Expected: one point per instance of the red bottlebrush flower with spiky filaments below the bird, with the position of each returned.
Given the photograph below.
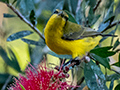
(41, 79)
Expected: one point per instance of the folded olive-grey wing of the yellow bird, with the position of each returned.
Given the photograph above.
(74, 31)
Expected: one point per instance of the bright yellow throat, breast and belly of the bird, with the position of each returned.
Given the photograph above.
(53, 33)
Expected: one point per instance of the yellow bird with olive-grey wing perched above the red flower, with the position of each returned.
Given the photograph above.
(65, 37)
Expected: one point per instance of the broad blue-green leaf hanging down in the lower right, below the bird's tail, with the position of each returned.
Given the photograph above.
(94, 78)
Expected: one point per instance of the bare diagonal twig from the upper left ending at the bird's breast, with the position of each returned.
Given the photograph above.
(25, 20)
